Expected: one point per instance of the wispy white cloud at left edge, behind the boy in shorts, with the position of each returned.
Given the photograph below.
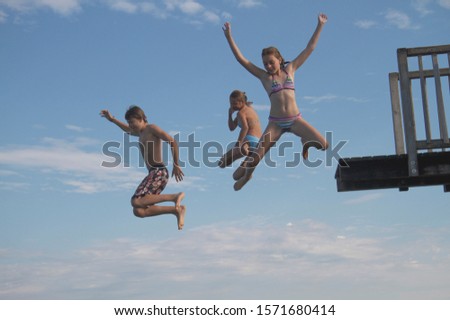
(70, 162)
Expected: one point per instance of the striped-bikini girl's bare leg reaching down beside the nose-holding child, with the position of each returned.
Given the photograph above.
(244, 173)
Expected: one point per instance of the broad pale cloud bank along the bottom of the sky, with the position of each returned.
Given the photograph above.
(302, 259)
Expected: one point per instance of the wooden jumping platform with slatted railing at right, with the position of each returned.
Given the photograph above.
(417, 162)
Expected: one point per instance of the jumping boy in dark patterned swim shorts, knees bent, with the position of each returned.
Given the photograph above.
(148, 193)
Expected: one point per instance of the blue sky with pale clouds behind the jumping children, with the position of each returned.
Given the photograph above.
(67, 228)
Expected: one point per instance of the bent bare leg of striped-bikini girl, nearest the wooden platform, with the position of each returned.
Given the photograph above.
(310, 136)
